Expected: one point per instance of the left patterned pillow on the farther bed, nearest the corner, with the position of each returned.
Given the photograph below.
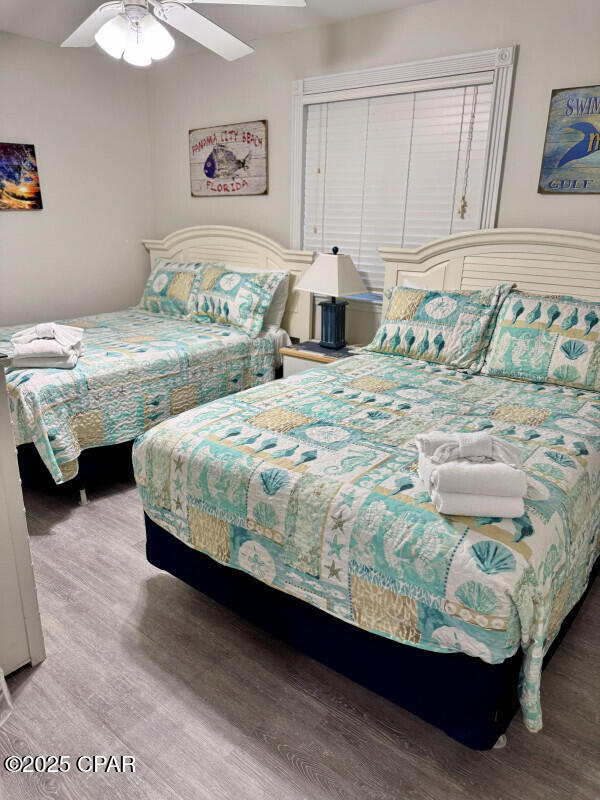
(169, 289)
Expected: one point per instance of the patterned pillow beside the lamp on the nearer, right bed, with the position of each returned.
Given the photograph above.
(452, 328)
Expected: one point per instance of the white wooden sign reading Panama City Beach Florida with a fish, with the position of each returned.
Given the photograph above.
(229, 160)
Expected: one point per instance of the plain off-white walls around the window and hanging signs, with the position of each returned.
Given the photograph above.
(113, 157)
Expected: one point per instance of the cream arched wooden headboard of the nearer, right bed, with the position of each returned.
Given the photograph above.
(536, 259)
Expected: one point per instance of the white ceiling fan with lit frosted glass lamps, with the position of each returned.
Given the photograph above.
(131, 29)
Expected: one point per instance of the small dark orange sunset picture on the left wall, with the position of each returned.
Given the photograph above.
(19, 180)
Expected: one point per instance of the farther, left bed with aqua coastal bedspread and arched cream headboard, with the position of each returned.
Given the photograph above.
(139, 367)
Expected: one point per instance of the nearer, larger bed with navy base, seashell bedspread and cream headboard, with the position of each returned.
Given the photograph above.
(308, 489)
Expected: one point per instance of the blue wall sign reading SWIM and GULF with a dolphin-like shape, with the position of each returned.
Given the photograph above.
(571, 162)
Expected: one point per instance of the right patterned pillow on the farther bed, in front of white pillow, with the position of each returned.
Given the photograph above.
(237, 298)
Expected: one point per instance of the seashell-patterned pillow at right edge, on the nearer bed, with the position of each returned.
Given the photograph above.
(547, 339)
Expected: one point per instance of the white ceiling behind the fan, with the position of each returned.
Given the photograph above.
(54, 20)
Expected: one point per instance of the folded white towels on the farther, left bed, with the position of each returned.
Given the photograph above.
(47, 345)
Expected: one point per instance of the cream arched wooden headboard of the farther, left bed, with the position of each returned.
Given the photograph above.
(222, 244)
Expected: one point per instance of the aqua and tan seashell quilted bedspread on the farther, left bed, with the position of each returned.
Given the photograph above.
(137, 369)
